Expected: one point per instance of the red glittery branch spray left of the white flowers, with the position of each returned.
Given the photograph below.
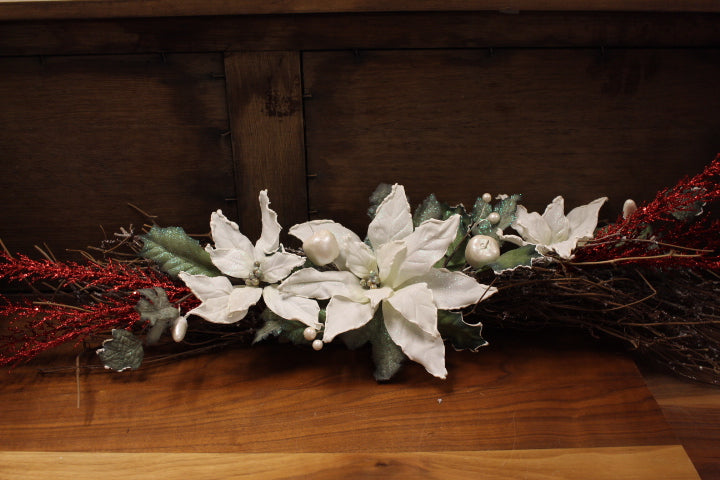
(39, 326)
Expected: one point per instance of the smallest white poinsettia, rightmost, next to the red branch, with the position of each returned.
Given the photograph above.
(553, 231)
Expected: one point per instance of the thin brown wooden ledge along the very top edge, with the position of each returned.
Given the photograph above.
(32, 9)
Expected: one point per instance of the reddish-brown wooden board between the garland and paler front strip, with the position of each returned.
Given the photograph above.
(515, 394)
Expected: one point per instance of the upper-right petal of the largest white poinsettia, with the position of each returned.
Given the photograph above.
(425, 246)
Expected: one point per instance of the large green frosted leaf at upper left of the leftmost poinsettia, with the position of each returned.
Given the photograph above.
(174, 252)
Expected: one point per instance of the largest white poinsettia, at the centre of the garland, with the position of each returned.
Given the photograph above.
(396, 273)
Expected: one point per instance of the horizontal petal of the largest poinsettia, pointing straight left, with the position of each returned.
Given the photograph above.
(311, 283)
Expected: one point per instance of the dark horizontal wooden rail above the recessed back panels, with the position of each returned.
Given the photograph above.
(361, 31)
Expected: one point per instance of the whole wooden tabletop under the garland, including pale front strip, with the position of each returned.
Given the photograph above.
(517, 409)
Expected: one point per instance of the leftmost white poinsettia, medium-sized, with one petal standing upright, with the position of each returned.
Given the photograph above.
(266, 262)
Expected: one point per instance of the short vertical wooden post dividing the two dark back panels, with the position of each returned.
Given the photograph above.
(265, 104)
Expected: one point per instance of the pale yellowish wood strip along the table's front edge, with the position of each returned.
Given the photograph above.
(628, 463)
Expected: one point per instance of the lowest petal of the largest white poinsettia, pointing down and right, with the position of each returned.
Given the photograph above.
(418, 345)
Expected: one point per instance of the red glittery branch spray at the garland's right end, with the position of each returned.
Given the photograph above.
(674, 230)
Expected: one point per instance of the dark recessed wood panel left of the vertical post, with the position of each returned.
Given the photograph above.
(82, 136)
